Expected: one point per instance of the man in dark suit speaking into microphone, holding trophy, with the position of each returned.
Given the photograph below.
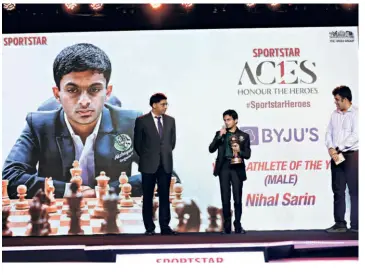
(231, 174)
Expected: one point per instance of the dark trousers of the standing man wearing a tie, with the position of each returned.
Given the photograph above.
(163, 186)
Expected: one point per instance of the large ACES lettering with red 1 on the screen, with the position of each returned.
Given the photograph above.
(270, 72)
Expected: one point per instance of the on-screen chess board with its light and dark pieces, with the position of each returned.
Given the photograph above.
(108, 213)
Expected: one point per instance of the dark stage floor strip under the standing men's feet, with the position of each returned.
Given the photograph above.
(312, 238)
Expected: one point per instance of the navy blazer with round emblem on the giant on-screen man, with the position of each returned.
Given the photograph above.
(46, 142)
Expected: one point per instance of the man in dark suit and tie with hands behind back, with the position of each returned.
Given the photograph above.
(154, 141)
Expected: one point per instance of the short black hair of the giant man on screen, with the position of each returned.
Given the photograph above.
(79, 58)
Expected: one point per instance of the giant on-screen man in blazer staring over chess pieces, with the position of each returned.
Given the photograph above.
(81, 128)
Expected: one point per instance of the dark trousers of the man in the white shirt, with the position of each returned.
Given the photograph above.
(346, 173)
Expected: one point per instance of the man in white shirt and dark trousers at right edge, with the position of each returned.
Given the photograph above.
(342, 138)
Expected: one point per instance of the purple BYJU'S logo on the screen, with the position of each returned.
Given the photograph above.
(282, 135)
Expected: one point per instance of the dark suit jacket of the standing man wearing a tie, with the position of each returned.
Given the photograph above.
(150, 147)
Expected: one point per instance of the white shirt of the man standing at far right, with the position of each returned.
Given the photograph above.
(343, 130)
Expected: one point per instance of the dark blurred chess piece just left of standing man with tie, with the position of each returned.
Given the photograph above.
(110, 202)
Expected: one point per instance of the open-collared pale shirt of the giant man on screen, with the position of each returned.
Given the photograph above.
(84, 153)
